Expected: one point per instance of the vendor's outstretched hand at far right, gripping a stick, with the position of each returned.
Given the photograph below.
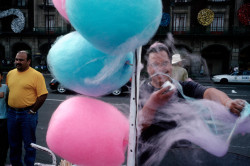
(235, 106)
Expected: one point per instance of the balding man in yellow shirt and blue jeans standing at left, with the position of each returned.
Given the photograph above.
(27, 93)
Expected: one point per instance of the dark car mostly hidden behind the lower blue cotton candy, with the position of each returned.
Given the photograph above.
(55, 85)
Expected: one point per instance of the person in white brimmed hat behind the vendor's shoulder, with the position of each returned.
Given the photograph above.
(178, 72)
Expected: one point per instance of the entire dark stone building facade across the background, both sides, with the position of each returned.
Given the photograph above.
(211, 49)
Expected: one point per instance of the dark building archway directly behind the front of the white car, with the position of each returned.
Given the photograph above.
(217, 58)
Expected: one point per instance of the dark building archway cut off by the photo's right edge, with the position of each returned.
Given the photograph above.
(244, 58)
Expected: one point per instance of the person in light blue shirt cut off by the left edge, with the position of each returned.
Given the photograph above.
(4, 145)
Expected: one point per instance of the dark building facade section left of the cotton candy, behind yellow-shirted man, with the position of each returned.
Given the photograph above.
(39, 25)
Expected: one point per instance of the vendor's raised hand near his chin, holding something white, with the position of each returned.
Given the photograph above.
(159, 98)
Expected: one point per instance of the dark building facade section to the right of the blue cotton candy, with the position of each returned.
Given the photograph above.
(217, 47)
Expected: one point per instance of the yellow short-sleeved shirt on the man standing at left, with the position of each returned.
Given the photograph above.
(25, 87)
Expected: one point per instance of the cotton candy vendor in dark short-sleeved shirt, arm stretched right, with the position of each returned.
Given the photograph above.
(159, 68)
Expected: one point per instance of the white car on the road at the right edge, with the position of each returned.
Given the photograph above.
(235, 77)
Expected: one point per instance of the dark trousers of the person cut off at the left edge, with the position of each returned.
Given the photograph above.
(4, 145)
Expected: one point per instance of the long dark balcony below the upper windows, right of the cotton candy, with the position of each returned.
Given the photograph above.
(205, 31)
